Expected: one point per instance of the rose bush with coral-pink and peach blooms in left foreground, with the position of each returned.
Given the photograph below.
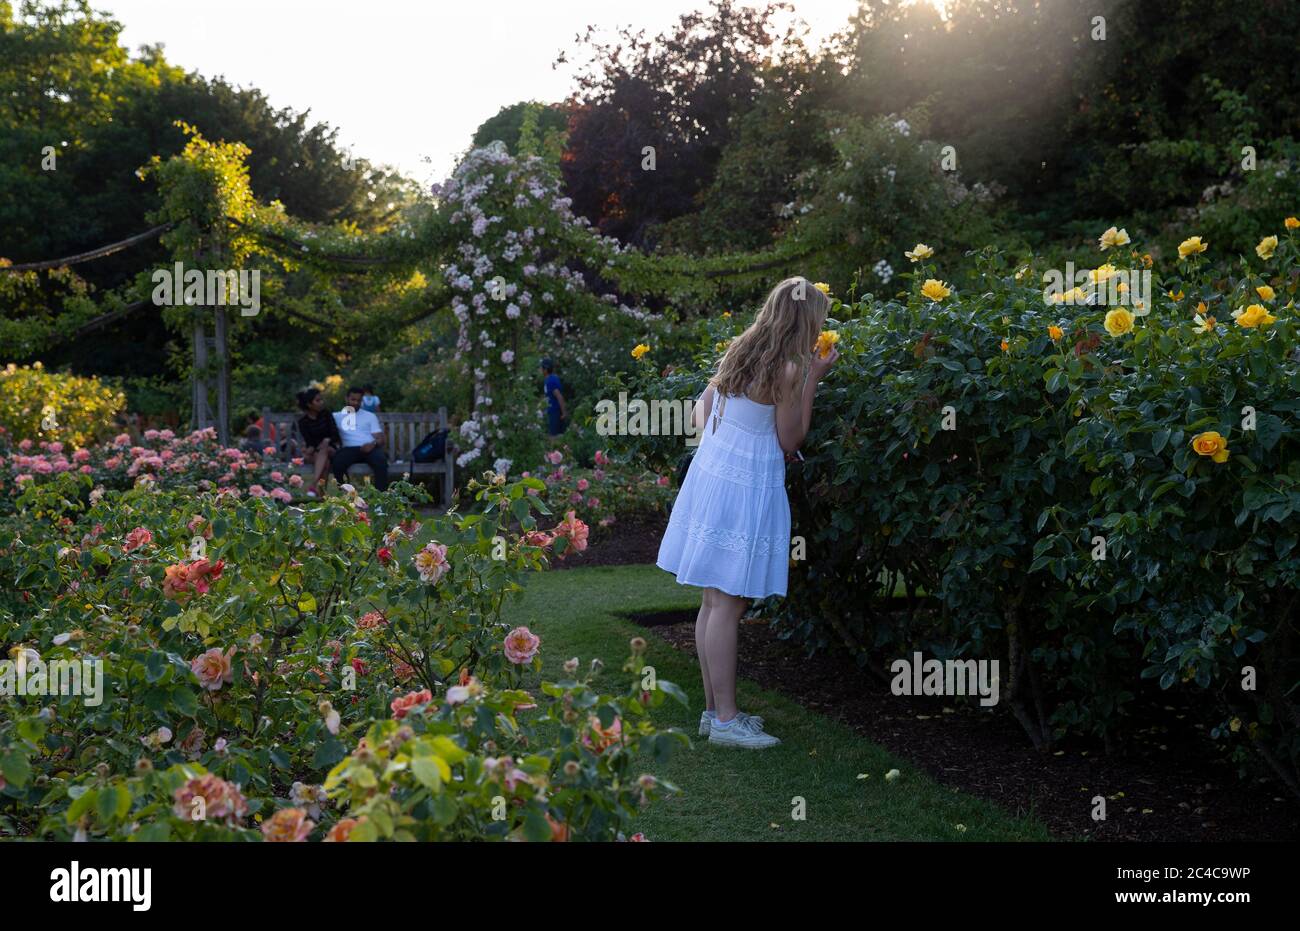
(252, 648)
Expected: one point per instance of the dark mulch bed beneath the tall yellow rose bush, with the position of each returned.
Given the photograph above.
(1167, 770)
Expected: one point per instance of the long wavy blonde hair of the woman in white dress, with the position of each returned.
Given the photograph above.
(785, 331)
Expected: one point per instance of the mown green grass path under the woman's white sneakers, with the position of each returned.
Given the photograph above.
(746, 795)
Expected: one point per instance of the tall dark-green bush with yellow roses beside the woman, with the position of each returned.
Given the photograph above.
(1061, 438)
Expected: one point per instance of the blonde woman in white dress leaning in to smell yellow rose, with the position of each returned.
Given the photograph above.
(730, 530)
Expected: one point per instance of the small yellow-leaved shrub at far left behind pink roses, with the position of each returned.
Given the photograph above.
(40, 405)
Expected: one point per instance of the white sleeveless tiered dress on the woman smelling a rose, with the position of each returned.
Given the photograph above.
(730, 529)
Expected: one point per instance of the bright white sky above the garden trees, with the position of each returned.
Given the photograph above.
(402, 80)
